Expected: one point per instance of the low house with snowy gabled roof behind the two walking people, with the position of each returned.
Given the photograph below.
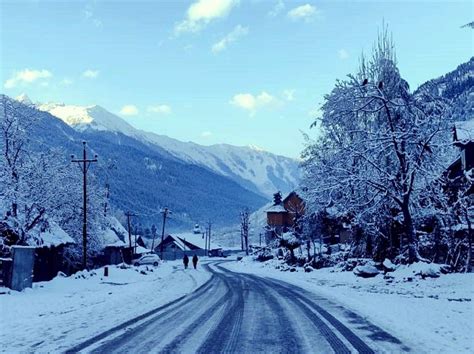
(177, 245)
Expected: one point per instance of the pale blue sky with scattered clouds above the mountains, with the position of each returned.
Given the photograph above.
(248, 72)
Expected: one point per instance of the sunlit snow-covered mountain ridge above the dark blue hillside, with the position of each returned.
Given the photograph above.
(256, 170)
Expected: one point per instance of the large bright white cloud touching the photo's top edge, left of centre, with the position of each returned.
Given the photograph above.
(201, 12)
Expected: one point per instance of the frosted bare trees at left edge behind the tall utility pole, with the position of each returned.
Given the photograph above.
(40, 185)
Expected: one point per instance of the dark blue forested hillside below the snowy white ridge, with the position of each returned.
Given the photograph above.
(144, 177)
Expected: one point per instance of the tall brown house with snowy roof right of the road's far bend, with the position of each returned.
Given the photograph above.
(283, 214)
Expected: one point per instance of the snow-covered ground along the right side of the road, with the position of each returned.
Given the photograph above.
(431, 315)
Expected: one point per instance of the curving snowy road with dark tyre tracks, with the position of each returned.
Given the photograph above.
(236, 312)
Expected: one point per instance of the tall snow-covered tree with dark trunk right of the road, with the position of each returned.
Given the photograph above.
(378, 147)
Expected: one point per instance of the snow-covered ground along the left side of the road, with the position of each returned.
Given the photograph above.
(53, 316)
